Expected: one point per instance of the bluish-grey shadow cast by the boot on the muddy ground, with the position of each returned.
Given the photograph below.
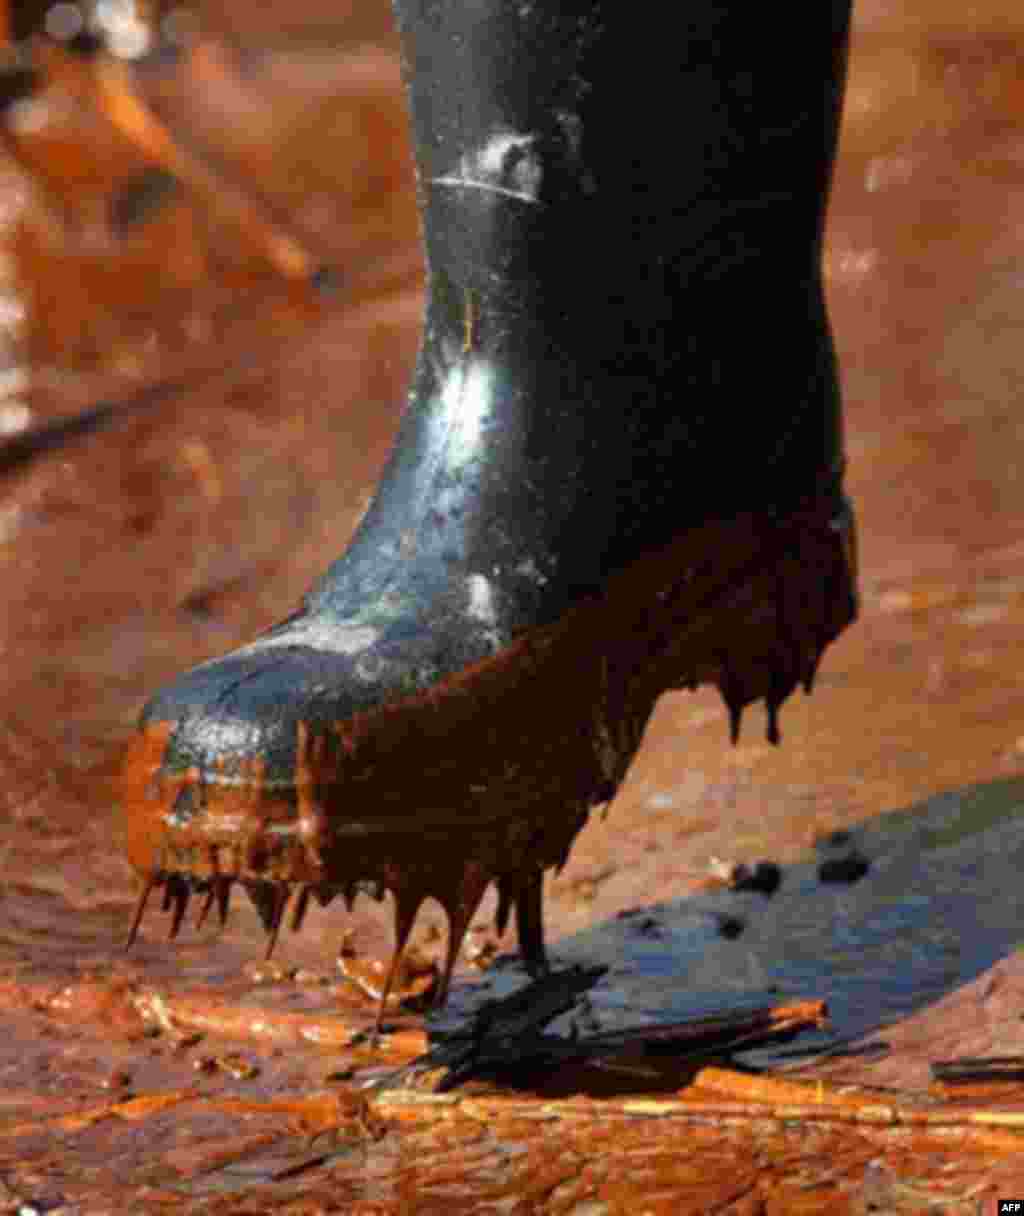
(939, 902)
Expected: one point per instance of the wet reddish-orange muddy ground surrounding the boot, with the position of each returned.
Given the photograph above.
(179, 525)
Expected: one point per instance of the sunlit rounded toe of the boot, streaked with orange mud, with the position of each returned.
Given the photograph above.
(232, 767)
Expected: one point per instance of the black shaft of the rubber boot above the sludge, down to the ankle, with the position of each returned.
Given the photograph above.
(626, 330)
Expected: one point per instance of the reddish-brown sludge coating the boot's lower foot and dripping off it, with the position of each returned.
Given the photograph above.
(503, 762)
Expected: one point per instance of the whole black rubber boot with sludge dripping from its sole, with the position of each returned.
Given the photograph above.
(618, 474)
